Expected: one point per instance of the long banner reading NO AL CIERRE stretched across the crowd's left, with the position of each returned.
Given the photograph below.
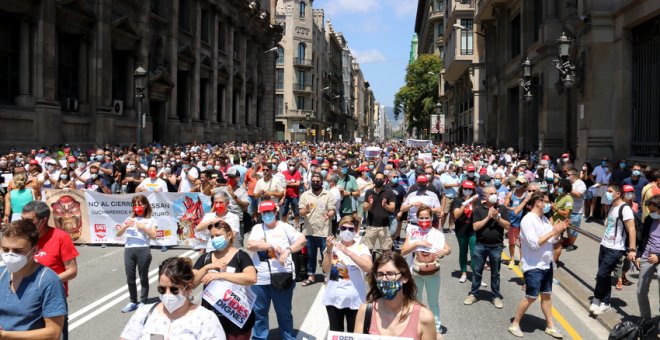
(92, 217)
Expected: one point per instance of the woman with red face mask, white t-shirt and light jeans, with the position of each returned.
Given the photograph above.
(423, 248)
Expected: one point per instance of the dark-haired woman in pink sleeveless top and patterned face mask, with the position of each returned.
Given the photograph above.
(394, 309)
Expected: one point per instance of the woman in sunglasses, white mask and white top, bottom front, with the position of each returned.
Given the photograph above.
(175, 316)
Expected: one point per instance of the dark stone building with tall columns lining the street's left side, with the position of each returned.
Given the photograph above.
(66, 71)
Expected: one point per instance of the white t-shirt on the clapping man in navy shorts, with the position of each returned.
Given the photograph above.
(532, 227)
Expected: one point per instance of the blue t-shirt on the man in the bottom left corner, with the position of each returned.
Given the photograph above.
(40, 295)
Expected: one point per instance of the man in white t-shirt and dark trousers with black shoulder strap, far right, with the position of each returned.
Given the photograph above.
(613, 247)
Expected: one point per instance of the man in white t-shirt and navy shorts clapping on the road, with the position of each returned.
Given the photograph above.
(537, 237)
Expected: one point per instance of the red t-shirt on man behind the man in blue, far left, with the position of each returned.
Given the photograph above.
(55, 248)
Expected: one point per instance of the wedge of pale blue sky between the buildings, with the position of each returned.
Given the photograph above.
(379, 34)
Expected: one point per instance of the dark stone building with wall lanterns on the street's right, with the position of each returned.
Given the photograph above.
(609, 107)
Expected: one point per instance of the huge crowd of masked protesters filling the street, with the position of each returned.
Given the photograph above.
(376, 222)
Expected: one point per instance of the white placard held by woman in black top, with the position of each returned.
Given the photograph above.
(233, 301)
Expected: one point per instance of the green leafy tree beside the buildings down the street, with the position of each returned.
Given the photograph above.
(417, 98)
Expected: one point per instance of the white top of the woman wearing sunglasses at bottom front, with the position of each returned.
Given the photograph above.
(199, 323)
